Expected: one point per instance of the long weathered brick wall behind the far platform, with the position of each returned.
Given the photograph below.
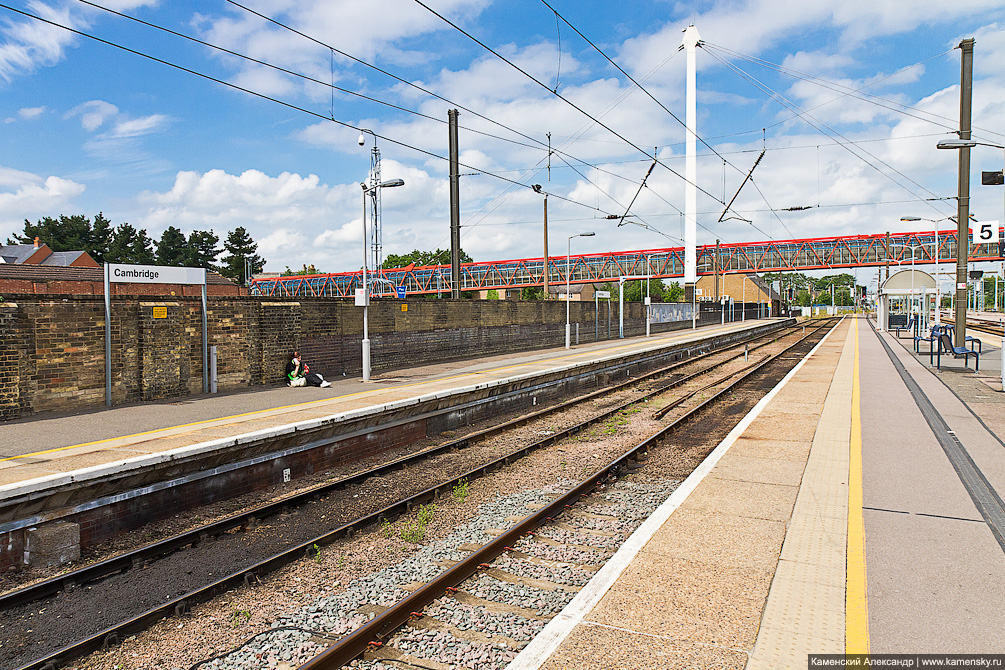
(53, 348)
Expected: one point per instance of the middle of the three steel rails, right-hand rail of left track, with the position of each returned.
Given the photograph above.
(253, 574)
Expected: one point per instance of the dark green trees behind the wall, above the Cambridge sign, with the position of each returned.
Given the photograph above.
(124, 244)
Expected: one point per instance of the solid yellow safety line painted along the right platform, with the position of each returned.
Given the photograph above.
(857, 621)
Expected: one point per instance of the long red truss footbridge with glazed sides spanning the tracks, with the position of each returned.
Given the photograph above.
(821, 254)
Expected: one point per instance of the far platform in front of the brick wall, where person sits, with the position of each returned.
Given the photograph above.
(40, 452)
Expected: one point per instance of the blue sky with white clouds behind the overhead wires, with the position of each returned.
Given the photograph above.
(88, 128)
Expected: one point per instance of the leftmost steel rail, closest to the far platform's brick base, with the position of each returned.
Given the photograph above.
(142, 556)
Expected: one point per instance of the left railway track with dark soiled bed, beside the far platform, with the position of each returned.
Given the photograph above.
(689, 377)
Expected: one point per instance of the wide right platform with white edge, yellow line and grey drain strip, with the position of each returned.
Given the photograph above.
(857, 510)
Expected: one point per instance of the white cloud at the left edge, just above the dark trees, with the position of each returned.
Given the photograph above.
(26, 195)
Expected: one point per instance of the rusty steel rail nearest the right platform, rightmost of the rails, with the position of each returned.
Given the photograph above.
(383, 625)
